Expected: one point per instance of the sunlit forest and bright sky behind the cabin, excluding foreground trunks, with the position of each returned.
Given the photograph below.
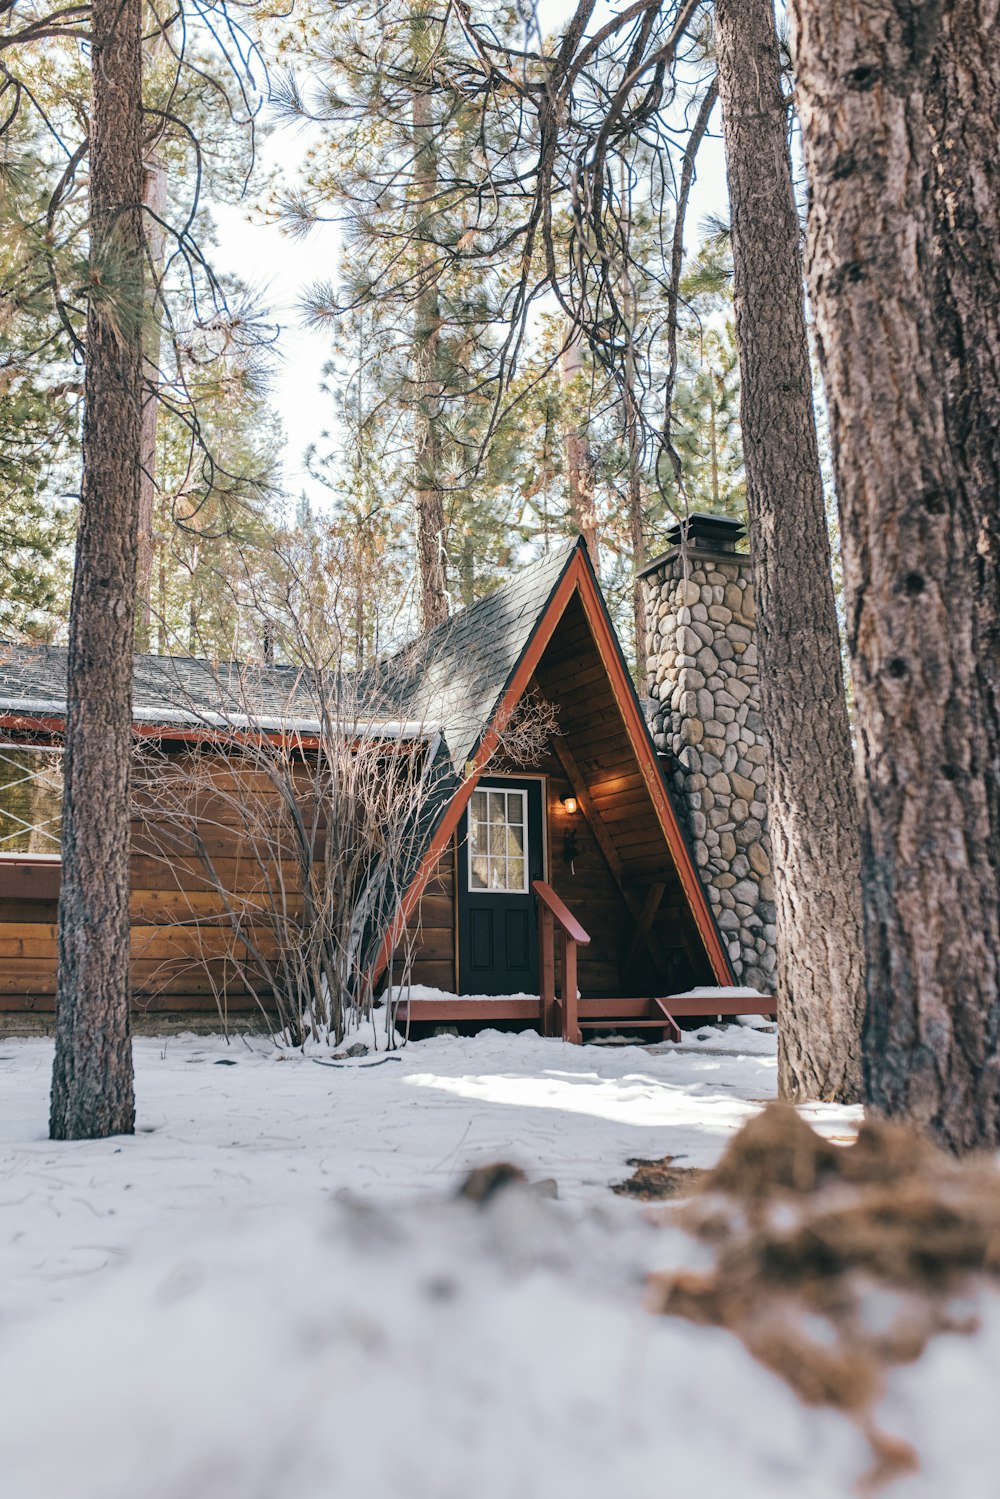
(299, 428)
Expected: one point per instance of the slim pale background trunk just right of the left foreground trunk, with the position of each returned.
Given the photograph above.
(155, 203)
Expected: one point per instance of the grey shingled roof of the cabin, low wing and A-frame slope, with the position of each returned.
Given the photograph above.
(449, 681)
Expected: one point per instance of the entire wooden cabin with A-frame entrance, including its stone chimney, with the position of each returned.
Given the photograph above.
(600, 887)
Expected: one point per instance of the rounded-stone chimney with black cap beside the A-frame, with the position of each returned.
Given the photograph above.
(702, 677)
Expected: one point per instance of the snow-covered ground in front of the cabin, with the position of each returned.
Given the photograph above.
(272, 1293)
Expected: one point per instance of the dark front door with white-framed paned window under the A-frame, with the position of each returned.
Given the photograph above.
(501, 852)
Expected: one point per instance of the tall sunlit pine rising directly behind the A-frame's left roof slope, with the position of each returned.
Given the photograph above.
(403, 160)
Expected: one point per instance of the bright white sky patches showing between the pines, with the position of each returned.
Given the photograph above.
(280, 269)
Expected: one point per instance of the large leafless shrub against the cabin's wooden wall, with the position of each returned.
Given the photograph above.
(304, 812)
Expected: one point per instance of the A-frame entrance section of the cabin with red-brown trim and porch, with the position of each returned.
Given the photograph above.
(606, 878)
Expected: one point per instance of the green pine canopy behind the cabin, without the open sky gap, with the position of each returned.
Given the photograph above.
(506, 446)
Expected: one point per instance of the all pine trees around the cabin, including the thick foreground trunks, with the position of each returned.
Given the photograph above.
(530, 338)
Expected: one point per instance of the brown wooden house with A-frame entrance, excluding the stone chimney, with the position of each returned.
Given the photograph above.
(569, 873)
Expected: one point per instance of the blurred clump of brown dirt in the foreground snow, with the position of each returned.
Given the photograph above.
(834, 1263)
